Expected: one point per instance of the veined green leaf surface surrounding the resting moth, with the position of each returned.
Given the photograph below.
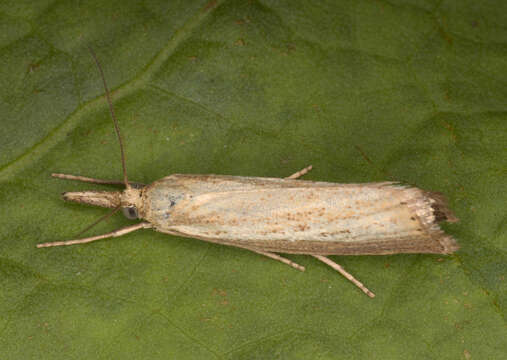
(411, 91)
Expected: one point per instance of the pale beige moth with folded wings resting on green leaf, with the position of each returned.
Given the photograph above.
(277, 215)
